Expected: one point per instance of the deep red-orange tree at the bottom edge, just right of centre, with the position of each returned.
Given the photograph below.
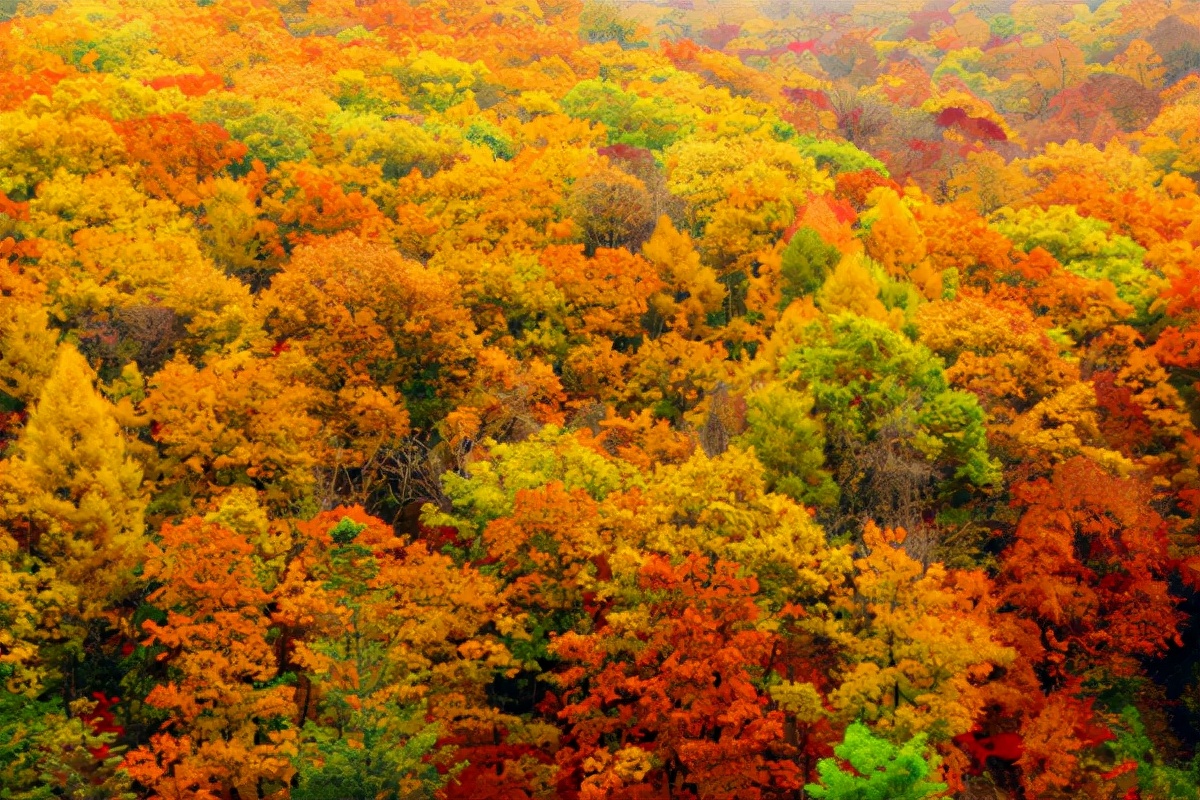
(685, 696)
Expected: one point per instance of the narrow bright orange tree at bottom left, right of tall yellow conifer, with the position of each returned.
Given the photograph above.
(230, 714)
